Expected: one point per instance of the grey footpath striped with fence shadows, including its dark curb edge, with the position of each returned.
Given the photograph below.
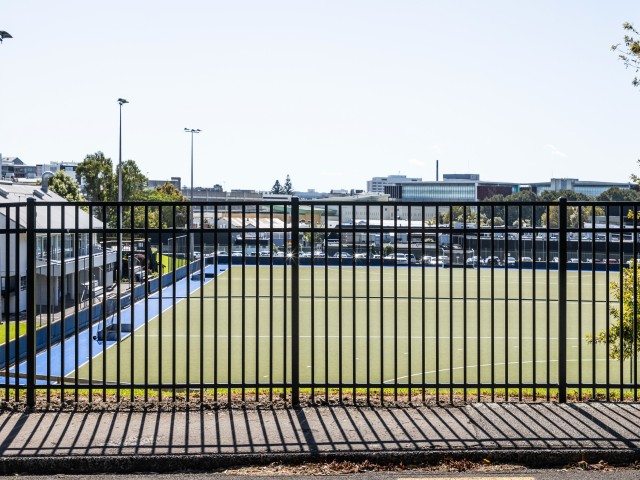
(531, 434)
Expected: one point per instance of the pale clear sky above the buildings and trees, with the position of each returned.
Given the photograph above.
(331, 92)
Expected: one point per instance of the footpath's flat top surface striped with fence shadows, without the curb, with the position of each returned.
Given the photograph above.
(317, 431)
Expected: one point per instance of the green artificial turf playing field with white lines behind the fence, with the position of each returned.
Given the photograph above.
(371, 326)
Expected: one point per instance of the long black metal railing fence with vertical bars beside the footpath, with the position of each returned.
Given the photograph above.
(315, 301)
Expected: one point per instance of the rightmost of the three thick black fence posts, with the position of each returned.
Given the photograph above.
(562, 300)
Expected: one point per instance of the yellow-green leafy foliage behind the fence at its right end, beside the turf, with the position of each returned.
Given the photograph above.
(623, 334)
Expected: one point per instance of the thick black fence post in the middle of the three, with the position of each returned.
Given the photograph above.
(295, 301)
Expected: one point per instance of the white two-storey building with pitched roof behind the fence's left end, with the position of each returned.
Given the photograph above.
(56, 253)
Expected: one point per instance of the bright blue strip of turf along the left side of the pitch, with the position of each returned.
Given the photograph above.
(60, 359)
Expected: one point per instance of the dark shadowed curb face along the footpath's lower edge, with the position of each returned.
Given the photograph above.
(128, 464)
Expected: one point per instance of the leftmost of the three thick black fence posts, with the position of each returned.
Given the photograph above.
(31, 302)
